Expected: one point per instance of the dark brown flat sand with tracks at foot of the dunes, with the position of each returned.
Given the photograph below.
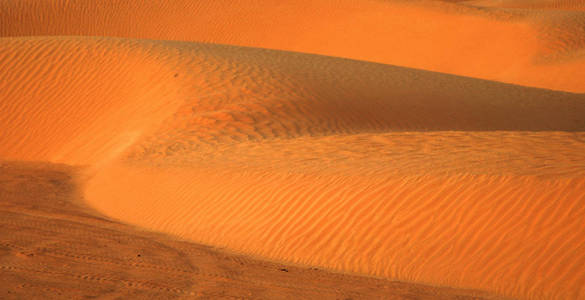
(52, 247)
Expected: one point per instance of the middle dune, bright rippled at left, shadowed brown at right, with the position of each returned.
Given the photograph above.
(113, 91)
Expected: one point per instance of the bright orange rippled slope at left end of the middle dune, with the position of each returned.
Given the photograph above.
(79, 101)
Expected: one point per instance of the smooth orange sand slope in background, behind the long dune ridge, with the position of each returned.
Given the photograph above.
(531, 48)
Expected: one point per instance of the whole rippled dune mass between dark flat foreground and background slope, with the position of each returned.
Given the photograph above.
(354, 166)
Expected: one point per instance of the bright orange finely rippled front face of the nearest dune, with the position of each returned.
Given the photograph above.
(517, 236)
